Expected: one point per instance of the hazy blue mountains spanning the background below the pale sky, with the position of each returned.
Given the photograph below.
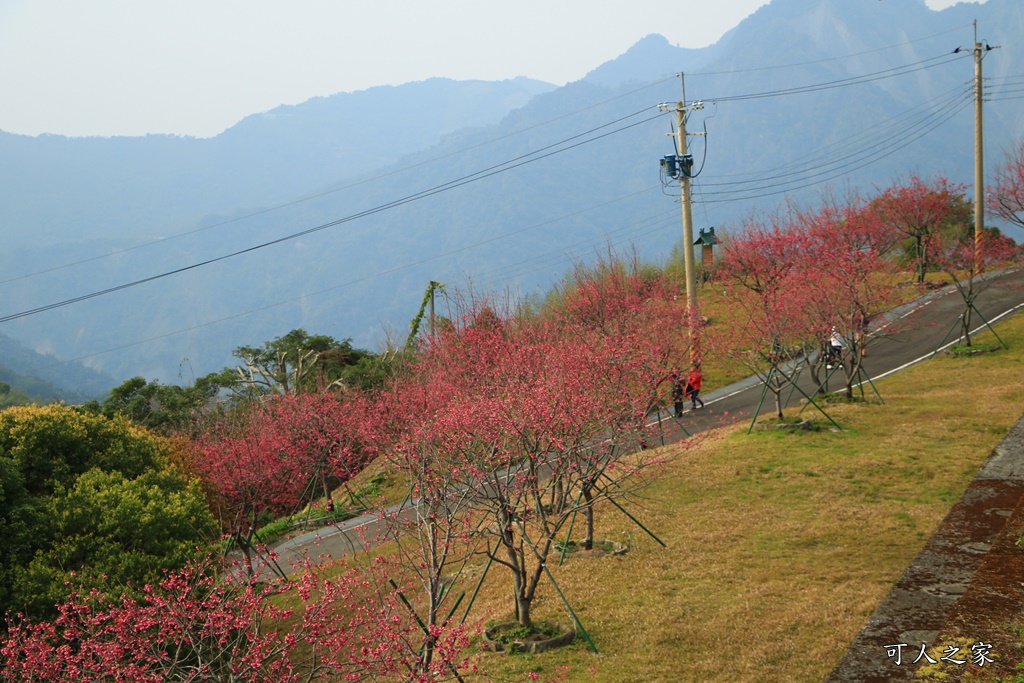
(353, 160)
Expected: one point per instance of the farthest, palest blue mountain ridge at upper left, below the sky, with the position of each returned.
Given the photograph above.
(141, 188)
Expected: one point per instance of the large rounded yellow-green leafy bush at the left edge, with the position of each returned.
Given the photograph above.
(86, 496)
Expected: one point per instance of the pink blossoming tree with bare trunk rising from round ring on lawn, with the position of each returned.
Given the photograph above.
(528, 415)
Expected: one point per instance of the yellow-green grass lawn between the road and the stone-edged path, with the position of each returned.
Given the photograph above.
(780, 546)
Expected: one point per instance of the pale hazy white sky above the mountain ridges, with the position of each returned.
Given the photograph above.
(197, 67)
